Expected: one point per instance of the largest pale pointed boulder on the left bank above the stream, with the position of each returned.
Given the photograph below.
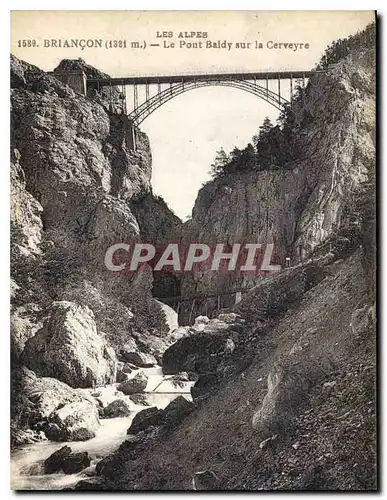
(69, 348)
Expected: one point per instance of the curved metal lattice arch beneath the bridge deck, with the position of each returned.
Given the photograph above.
(153, 103)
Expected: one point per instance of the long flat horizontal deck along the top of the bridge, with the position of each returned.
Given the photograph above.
(148, 80)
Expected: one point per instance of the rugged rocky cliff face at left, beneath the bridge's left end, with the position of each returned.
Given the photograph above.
(74, 174)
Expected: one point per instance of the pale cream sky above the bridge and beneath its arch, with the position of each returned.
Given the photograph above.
(186, 132)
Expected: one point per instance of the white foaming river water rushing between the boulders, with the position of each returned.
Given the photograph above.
(27, 462)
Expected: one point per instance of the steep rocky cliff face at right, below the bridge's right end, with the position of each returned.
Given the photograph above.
(300, 206)
